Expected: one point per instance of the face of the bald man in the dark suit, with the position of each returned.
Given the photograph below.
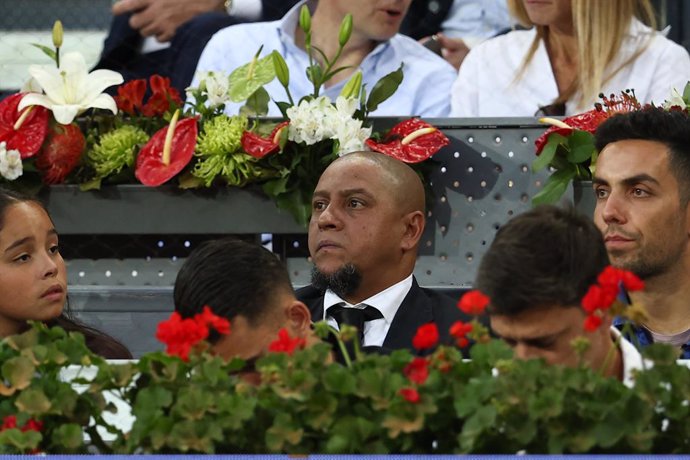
(356, 220)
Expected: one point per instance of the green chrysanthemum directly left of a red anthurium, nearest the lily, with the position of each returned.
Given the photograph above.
(116, 150)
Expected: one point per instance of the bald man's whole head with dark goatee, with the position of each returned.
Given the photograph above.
(367, 219)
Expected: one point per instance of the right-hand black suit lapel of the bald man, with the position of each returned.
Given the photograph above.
(414, 311)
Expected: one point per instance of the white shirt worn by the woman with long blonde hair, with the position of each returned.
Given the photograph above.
(485, 86)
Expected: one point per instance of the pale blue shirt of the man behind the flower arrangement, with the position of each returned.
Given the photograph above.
(423, 91)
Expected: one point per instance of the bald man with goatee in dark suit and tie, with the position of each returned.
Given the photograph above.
(367, 220)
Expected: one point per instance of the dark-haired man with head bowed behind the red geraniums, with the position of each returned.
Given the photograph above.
(536, 272)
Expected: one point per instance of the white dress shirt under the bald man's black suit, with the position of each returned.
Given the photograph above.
(387, 302)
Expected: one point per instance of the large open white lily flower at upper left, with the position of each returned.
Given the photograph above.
(71, 89)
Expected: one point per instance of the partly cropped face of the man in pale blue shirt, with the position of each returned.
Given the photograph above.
(372, 19)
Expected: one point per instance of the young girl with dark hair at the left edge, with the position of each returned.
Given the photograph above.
(33, 279)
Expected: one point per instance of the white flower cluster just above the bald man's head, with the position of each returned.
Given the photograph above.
(318, 119)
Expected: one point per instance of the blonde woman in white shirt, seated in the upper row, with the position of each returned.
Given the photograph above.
(573, 51)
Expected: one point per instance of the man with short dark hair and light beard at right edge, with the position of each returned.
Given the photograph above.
(642, 184)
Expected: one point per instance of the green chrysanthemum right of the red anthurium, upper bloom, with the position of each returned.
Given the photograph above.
(221, 135)
